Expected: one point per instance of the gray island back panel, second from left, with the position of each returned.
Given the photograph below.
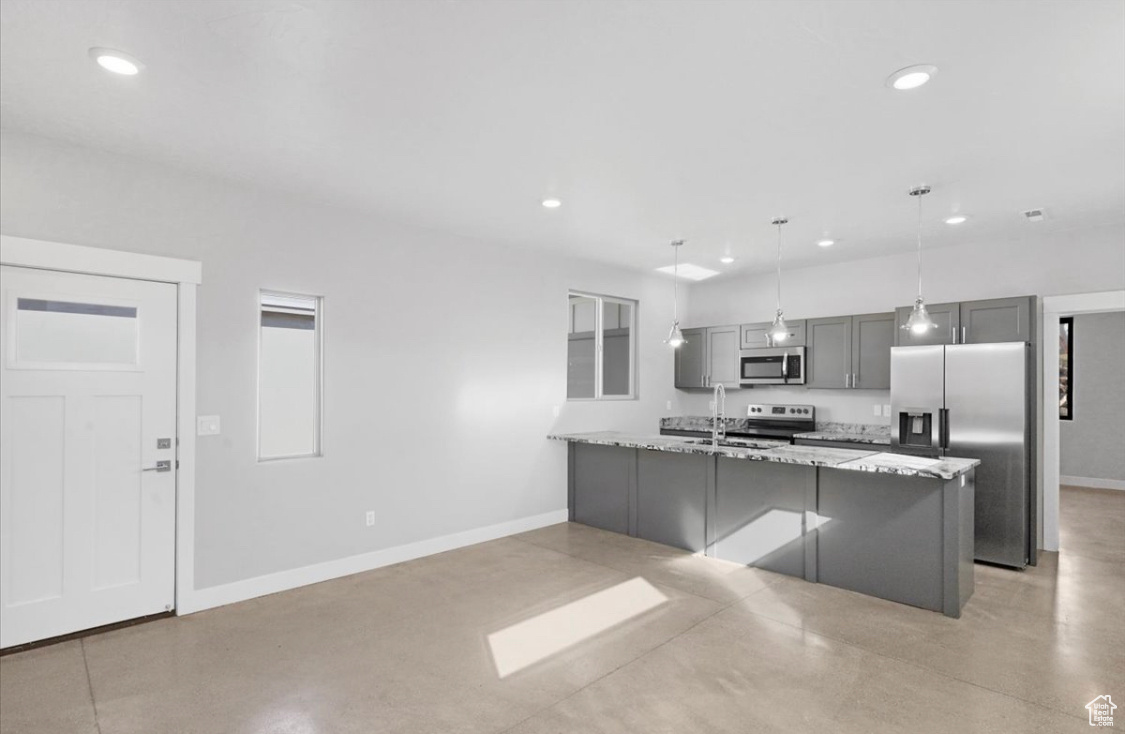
(672, 499)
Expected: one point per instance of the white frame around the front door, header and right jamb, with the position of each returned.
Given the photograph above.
(187, 276)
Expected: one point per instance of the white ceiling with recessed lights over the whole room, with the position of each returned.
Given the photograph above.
(651, 121)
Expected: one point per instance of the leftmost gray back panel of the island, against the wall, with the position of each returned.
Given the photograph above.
(601, 478)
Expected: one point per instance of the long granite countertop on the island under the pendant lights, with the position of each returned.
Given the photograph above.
(763, 451)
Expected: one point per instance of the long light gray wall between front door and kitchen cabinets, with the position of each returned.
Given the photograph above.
(445, 357)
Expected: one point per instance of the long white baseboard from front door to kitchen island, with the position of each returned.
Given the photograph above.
(284, 580)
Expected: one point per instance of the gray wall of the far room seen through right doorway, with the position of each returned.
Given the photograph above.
(1092, 444)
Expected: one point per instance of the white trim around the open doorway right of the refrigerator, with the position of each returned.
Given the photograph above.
(1054, 308)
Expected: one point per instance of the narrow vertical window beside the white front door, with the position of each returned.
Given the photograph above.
(289, 377)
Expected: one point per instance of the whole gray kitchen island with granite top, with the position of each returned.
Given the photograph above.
(892, 526)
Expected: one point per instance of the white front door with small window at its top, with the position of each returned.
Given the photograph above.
(88, 390)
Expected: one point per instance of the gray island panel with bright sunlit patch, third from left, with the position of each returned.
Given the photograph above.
(760, 514)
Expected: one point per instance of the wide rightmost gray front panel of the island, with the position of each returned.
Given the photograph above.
(883, 535)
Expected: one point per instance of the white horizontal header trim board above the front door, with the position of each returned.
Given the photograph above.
(76, 258)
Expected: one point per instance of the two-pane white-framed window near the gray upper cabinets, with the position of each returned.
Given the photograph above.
(601, 348)
